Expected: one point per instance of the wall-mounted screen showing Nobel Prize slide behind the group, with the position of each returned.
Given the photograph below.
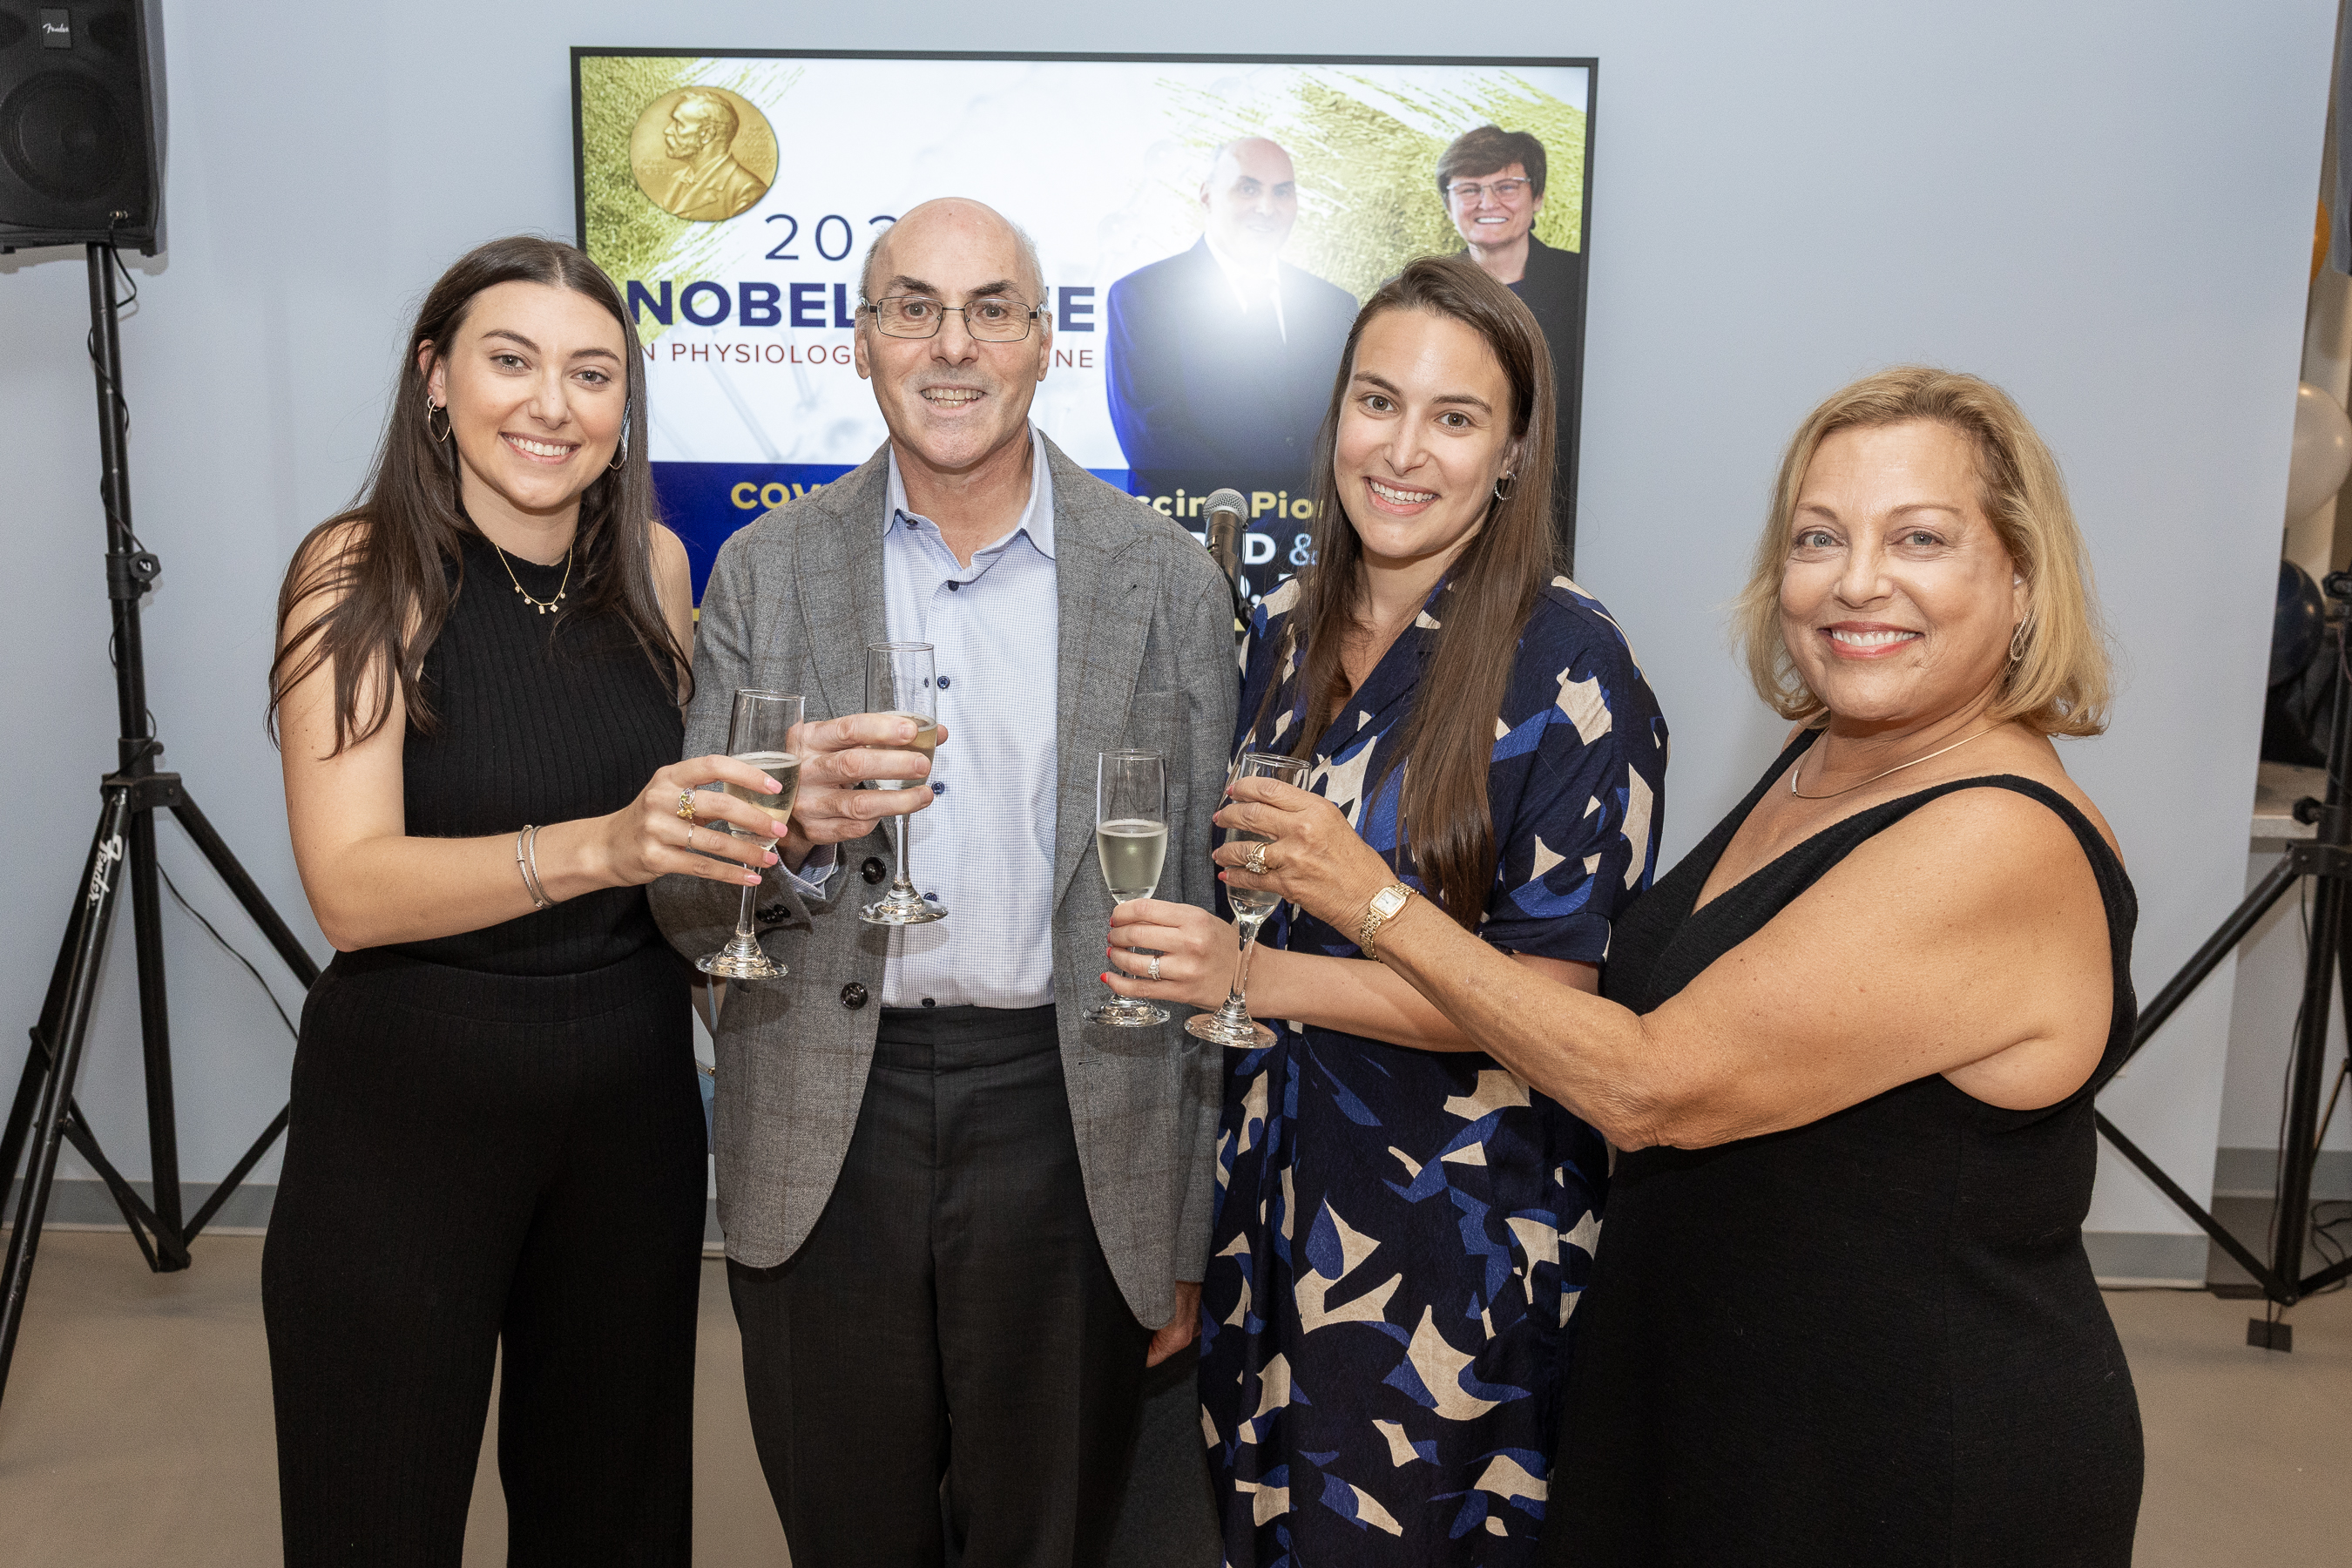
(1208, 232)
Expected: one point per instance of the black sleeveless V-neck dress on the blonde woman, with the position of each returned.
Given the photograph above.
(1873, 1339)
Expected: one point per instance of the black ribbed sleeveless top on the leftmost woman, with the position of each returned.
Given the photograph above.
(537, 721)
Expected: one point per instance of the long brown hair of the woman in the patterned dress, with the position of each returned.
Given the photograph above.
(1445, 822)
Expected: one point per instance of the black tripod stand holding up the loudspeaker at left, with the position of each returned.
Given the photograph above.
(123, 852)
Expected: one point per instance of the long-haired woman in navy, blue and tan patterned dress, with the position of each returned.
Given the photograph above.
(1405, 1226)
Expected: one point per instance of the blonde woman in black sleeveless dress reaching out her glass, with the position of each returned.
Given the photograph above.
(1840, 1308)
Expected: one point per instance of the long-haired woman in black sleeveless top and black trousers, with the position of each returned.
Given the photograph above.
(497, 1137)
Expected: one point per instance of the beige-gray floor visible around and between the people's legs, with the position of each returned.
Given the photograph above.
(138, 1428)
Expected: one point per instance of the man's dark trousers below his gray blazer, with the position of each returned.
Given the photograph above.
(951, 1318)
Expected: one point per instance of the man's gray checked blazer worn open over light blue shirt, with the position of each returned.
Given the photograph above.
(1144, 659)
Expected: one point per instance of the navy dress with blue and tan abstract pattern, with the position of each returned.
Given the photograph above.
(1401, 1235)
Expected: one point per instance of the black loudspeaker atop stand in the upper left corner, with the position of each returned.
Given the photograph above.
(81, 123)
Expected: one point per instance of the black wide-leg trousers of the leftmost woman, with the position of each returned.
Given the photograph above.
(479, 1160)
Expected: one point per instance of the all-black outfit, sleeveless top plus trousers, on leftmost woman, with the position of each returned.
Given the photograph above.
(497, 1141)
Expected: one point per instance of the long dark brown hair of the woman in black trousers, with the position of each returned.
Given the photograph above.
(382, 561)
